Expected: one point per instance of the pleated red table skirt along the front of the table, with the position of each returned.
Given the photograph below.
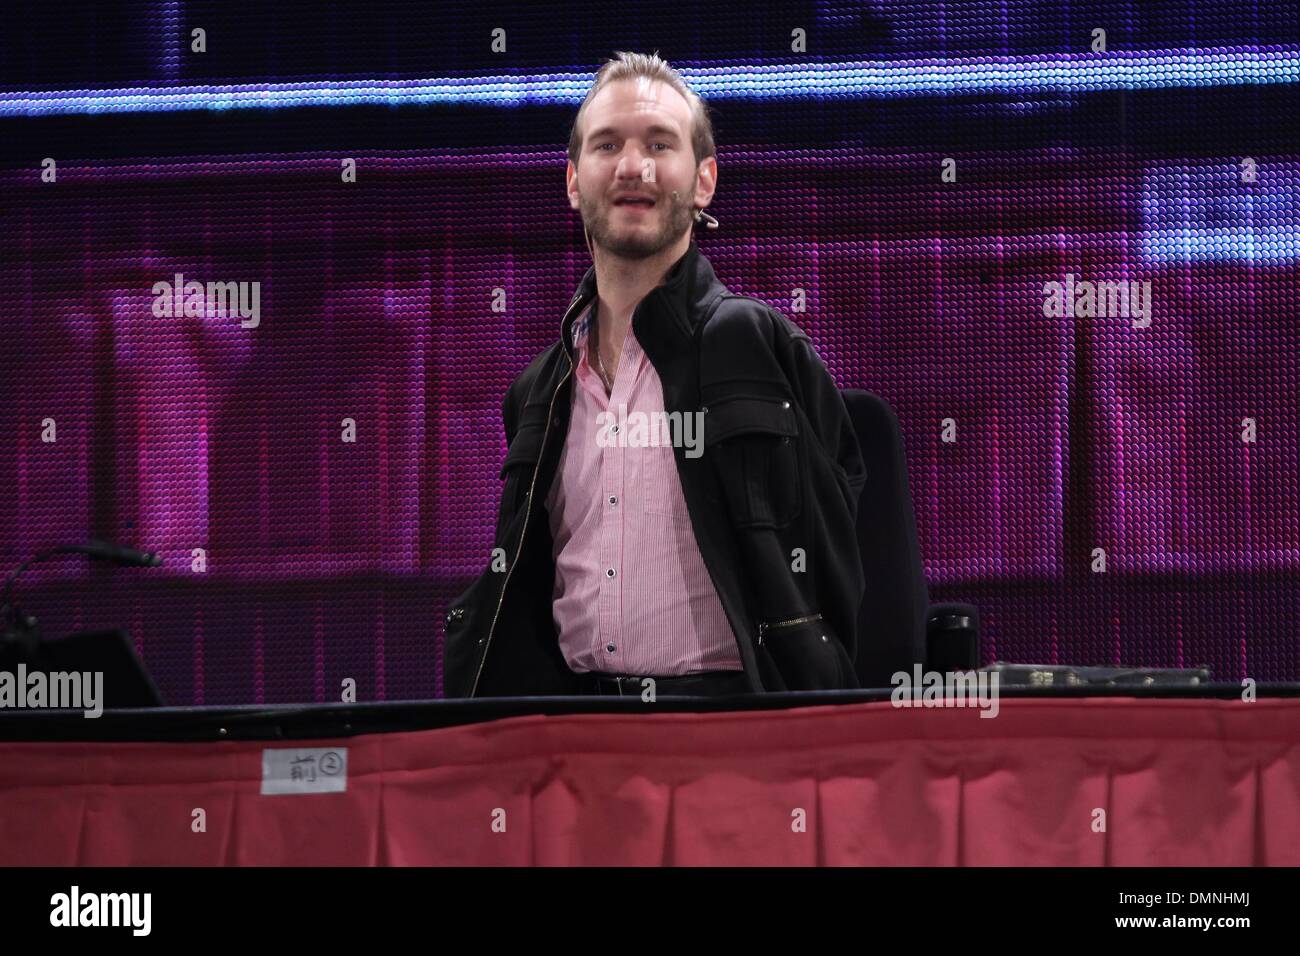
(1181, 782)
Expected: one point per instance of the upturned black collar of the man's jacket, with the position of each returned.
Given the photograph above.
(665, 321)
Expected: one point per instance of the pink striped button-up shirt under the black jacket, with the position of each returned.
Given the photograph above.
(632, 594)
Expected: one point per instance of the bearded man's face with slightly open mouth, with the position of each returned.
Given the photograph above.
(638, 144)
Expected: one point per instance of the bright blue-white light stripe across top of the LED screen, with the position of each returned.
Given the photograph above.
(1080, 73)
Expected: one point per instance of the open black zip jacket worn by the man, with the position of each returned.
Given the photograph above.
(773, 499)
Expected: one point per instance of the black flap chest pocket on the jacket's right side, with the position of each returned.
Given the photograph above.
(755, 445)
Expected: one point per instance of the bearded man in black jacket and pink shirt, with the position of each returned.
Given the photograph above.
(712, 550)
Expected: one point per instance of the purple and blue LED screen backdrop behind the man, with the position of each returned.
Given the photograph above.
(1072, 272)
